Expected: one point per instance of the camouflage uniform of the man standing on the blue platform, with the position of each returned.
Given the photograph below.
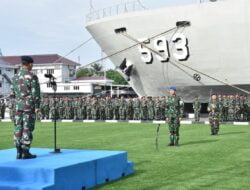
(26, 91)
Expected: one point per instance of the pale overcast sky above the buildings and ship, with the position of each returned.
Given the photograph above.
(54, 26)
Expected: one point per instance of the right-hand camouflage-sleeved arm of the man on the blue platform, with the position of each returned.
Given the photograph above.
(35, 90)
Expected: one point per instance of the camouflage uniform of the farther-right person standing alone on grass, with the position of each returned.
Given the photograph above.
(214, 117)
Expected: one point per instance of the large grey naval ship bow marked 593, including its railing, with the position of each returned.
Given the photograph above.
(201, 48)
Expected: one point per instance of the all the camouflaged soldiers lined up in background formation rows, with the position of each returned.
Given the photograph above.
(231, 108)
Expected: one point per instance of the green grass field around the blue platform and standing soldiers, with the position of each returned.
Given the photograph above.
(200, 162)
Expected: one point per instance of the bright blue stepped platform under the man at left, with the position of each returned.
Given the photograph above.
(70, 170)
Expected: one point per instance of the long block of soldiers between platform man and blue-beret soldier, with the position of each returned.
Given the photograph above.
(102, 108)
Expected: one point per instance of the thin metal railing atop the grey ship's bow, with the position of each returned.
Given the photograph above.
(114, 10)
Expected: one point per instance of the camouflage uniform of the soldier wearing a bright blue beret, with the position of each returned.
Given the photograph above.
(174, 113)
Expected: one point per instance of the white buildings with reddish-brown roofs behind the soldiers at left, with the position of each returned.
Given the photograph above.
(64, 70)
